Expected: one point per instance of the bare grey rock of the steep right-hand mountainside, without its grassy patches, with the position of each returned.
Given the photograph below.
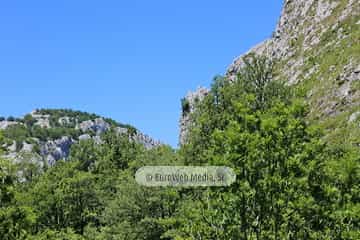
(301, 27)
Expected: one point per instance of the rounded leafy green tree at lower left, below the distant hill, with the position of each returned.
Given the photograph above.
(64, 197)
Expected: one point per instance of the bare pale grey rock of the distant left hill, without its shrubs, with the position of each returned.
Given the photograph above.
(52, 150)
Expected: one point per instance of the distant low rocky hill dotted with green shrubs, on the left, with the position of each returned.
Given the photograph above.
(46, 135)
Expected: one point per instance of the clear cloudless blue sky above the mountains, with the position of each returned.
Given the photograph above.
(129, 60)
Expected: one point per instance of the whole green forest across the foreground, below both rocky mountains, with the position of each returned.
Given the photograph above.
(291, 182)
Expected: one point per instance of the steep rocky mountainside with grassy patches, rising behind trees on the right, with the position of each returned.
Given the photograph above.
(315, 48)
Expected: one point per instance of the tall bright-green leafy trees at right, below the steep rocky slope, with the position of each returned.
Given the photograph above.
(283, 188)
